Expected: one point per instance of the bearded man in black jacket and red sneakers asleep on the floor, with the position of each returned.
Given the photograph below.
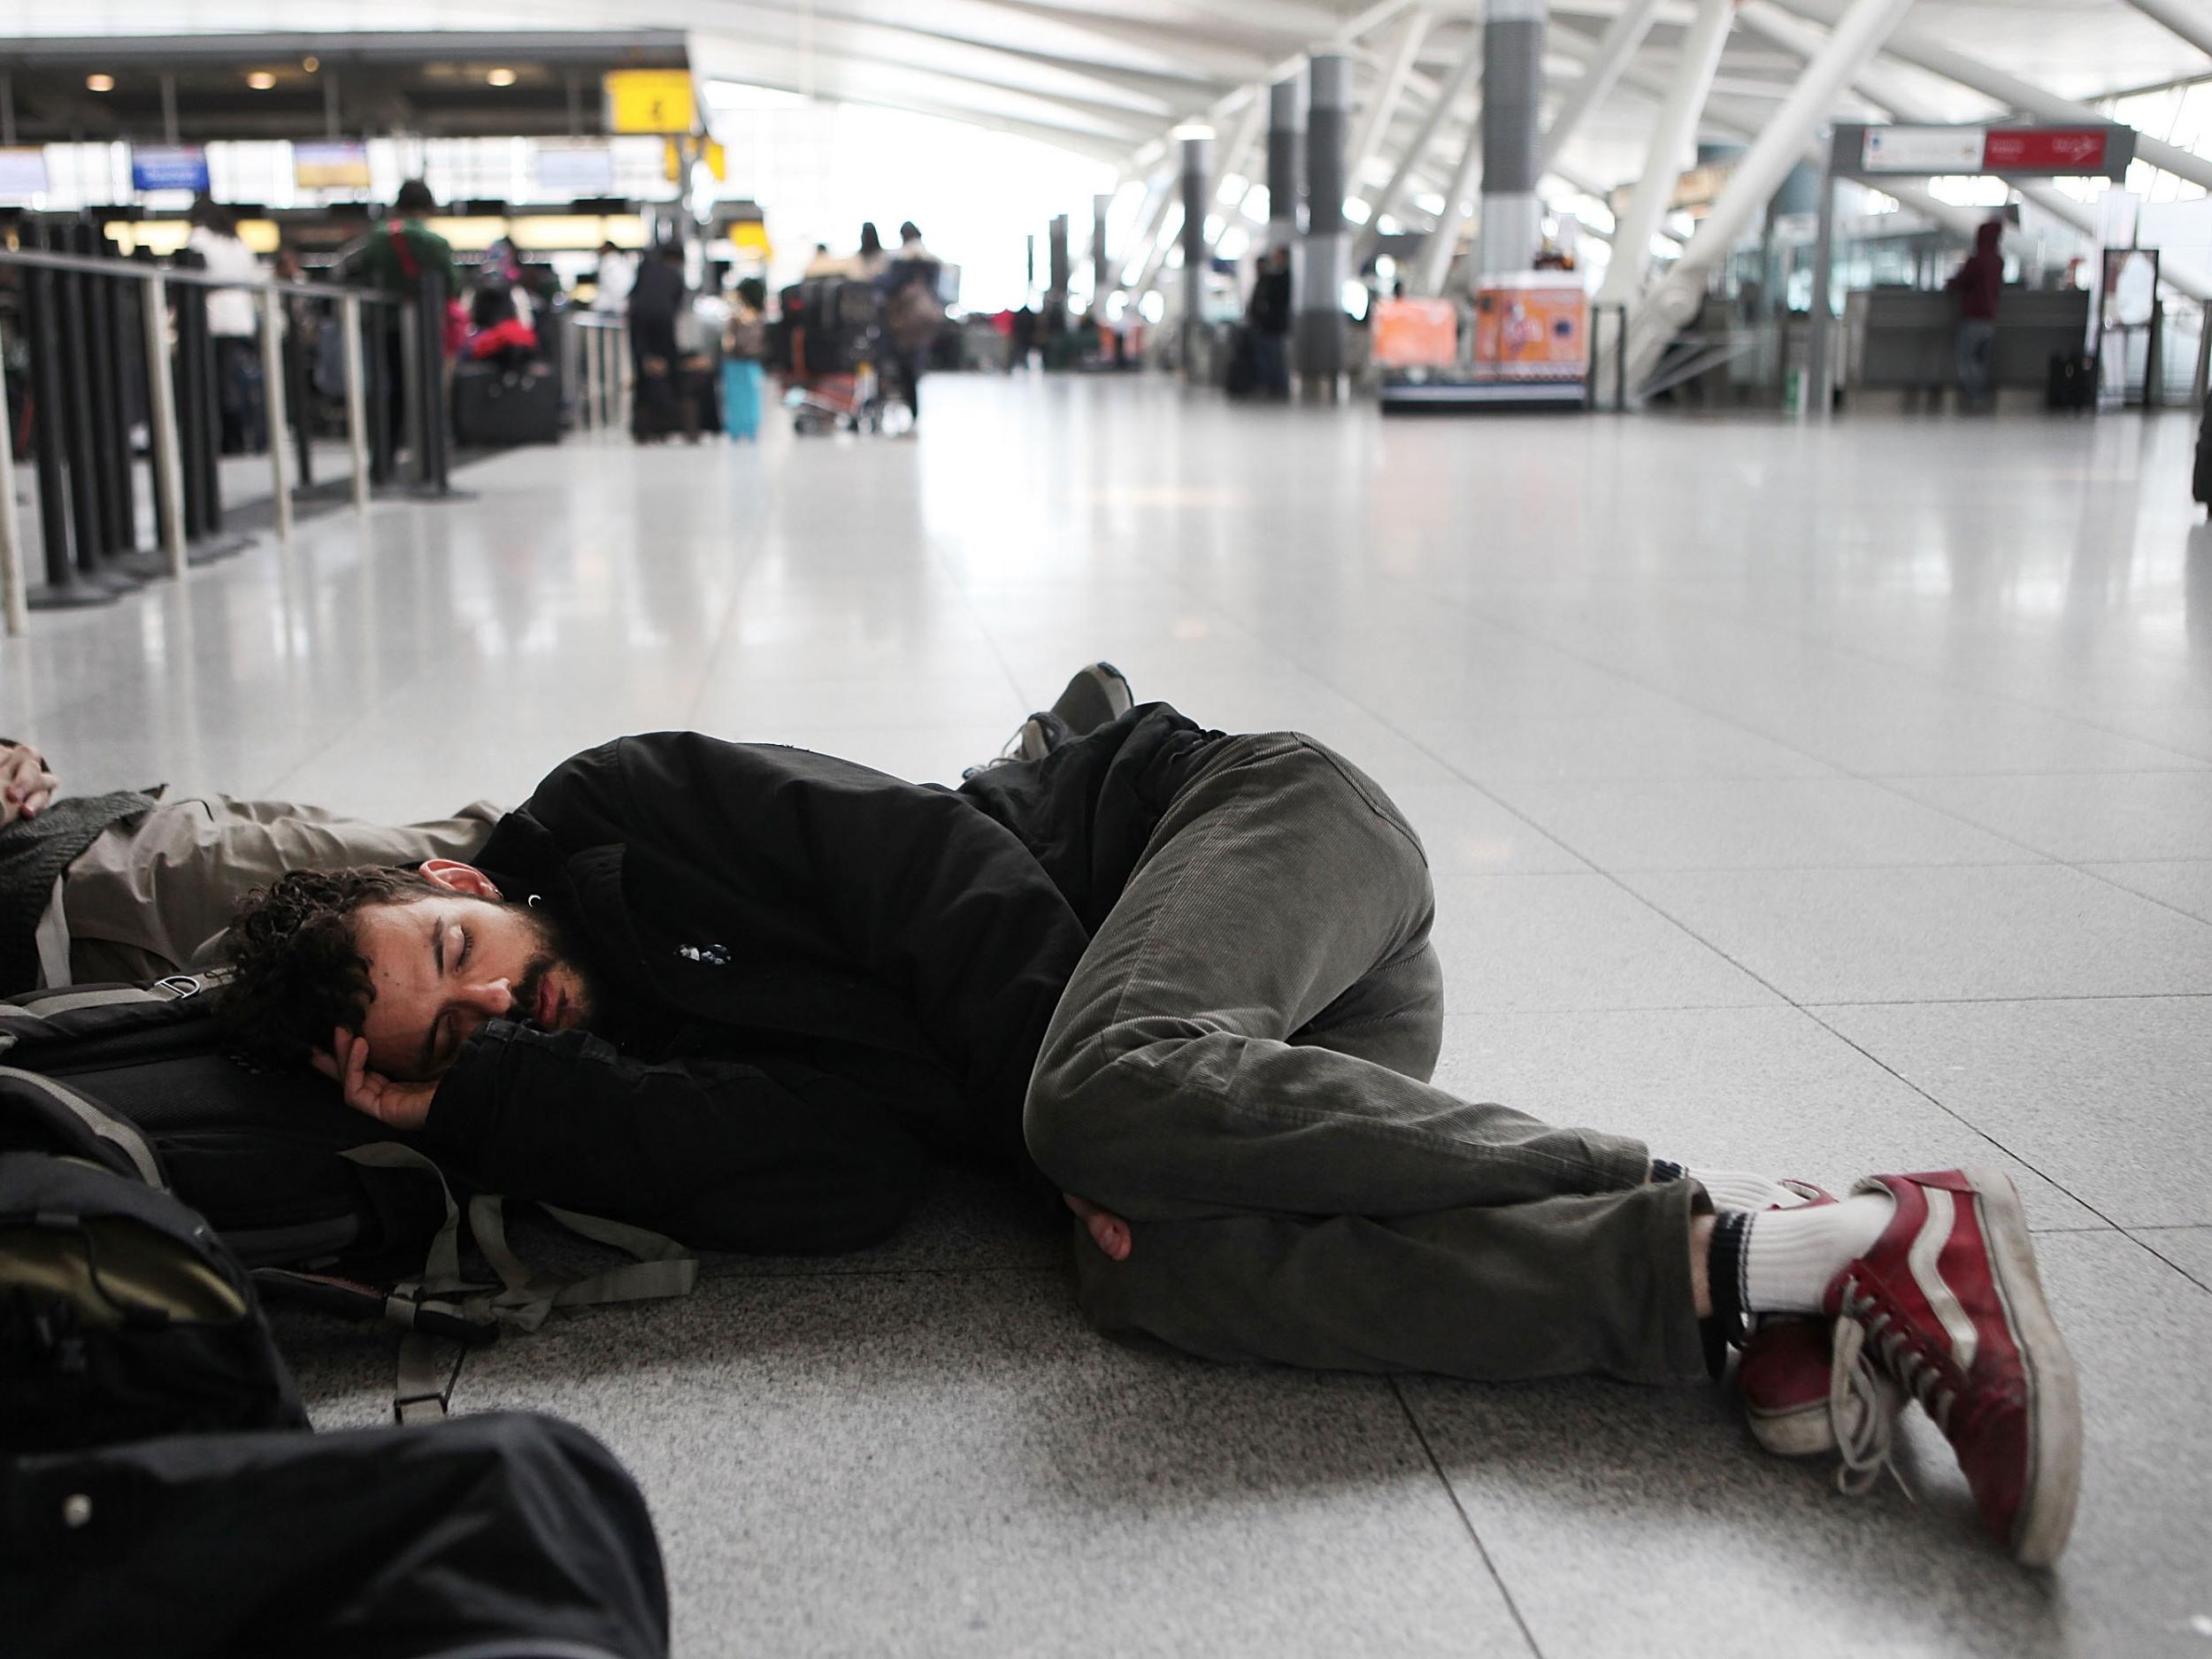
(740, 992)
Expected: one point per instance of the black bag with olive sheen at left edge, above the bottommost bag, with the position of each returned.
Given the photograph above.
(123, 1315)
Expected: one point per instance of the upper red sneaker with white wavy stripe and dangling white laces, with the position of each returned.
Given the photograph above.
(1950, 1306)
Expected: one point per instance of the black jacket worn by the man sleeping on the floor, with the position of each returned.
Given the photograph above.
(808, 974)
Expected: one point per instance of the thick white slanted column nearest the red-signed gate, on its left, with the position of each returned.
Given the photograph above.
(1757, 176)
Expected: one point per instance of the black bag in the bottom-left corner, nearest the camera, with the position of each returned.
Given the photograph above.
(501, 1536)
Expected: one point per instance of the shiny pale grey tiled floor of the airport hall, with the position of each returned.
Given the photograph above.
(1802, 800)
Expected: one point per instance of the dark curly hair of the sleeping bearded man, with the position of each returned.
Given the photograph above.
(298, 968)
